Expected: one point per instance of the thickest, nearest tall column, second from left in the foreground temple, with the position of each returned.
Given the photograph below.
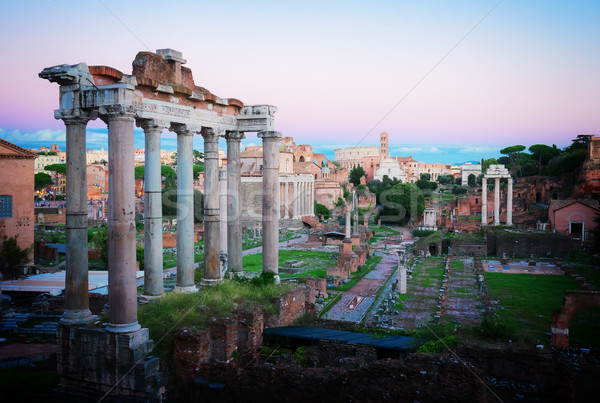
(122, 282)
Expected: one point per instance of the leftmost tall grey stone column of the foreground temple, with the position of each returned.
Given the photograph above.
(76, 284)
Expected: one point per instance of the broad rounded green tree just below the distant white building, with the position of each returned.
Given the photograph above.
(402, 203)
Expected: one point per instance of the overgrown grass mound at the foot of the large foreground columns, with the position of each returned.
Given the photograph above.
(178, 310)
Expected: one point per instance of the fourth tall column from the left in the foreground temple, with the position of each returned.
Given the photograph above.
(185, 209)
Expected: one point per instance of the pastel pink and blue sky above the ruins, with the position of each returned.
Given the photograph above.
(451, 81)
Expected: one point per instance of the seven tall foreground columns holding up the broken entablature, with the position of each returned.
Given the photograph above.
(122, 287)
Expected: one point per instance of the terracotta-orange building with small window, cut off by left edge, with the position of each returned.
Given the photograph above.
(16, 193)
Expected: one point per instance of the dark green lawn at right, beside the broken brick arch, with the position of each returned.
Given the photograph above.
(527, 296)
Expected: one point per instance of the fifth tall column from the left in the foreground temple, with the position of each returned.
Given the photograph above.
(211, 206)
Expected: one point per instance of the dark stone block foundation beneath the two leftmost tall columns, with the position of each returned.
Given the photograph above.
(93, 363)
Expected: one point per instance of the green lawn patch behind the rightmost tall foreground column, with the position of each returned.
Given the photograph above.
(315, 263)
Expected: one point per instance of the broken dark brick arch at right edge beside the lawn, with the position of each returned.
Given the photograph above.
(573, 302)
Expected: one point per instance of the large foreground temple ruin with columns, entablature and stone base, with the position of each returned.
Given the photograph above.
(159, 94)
